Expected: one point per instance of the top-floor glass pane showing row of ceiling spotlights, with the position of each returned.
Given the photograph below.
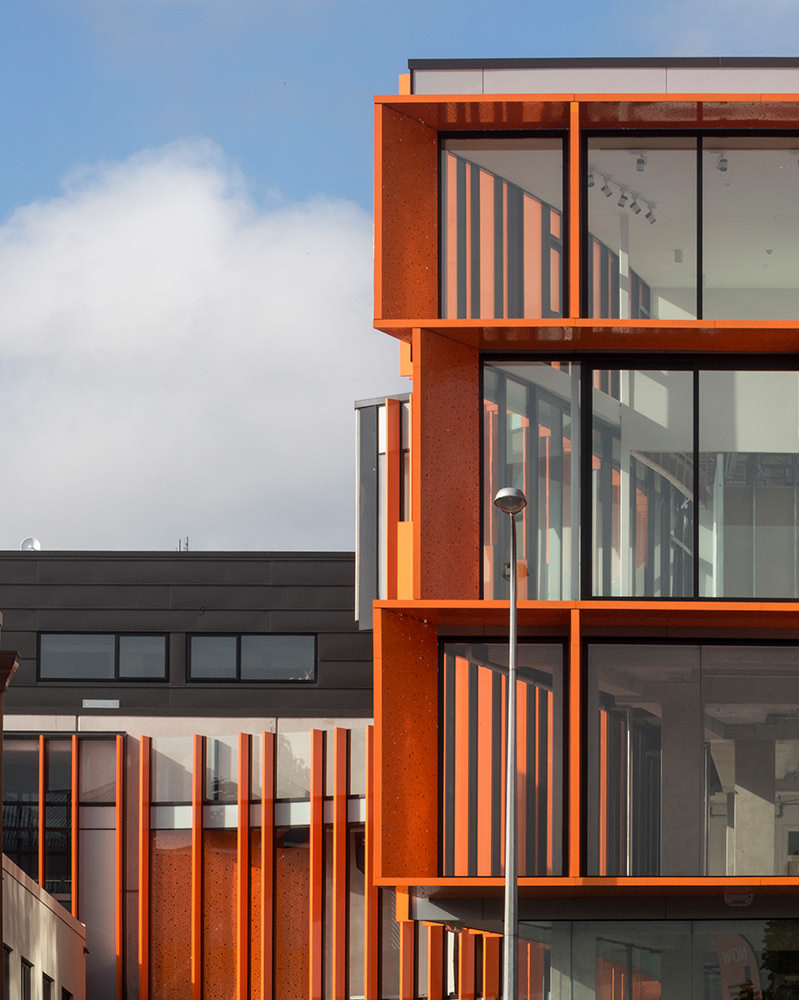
(641, 244)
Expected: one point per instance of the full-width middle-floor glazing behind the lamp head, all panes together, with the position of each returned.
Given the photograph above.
(690, 488)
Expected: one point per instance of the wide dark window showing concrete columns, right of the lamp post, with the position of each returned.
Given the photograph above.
(694, 759)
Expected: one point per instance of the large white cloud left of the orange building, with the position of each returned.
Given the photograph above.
(179, 362)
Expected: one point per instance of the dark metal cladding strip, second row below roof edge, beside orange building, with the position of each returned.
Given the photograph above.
(327, 598)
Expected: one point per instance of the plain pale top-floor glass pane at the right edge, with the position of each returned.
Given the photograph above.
(750, 227)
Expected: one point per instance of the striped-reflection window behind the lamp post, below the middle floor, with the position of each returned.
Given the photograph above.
(473, 724)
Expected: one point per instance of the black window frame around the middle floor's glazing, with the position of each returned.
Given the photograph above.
(588, 364)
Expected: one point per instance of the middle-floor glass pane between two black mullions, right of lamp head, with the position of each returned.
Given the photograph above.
(643, 483)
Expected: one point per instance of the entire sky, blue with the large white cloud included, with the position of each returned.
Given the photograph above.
(185, 243)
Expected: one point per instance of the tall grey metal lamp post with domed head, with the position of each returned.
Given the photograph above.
(511, 502)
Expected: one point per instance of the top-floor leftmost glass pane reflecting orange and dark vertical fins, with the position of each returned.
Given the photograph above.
(501, 228)
